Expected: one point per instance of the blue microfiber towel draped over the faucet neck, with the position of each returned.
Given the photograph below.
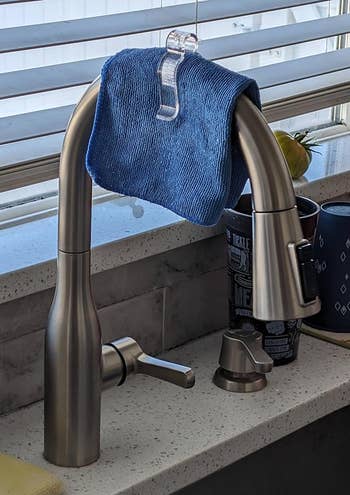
(191, 165)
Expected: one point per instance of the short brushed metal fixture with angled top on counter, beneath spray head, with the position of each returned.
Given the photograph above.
(243, 362)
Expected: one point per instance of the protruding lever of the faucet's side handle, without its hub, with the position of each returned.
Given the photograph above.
(136, 361)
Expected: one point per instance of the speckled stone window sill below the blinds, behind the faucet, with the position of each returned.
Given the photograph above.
(126, 230)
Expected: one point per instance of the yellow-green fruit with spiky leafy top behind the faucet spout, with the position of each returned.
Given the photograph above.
(297, 149)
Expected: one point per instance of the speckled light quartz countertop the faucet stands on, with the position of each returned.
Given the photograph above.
(157, 438)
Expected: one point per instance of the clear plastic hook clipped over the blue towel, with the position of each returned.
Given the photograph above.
(177, 44)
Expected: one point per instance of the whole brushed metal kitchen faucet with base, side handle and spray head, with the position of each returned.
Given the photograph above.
(77, 366)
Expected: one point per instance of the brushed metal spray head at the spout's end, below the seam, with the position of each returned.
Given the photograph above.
(277, 291)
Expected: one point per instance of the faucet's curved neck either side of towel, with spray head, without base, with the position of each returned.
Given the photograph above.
(277, 291)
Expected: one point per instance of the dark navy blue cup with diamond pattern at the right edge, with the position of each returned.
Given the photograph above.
(332, 254)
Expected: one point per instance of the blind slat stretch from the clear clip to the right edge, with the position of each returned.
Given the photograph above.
(267, 39)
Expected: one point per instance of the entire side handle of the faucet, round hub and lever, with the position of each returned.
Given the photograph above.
(129, 357)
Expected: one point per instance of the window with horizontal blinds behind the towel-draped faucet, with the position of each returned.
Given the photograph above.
(50, 50)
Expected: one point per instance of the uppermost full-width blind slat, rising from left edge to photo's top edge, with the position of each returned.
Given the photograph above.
(106, 26)
